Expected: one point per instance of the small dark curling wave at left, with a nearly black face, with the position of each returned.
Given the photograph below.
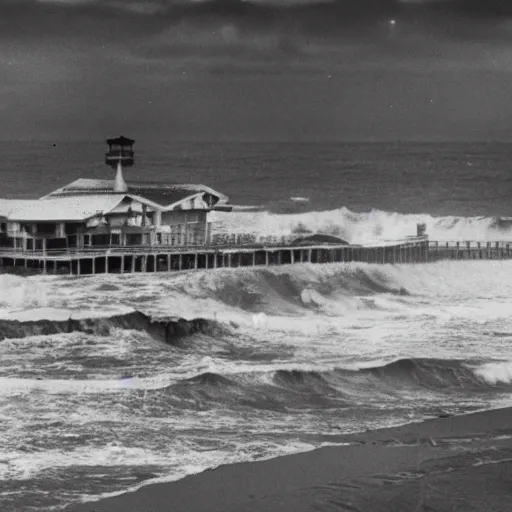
(171, 331)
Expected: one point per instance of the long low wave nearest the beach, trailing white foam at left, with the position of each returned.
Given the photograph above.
(271, 387)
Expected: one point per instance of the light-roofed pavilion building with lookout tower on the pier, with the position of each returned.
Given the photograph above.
(93, 213)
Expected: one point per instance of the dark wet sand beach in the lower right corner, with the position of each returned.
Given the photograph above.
(452, 464)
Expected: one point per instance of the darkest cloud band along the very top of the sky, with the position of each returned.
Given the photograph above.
(336, 18)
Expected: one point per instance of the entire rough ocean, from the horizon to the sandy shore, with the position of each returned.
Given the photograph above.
(287, 358)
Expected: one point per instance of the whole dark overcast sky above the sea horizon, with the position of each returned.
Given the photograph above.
(253, 70)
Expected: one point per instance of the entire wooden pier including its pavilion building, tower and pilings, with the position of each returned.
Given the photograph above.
(111, 226)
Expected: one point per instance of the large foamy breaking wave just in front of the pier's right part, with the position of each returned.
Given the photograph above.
(341, 289)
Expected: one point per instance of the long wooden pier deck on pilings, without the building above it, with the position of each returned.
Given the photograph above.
(150, 259)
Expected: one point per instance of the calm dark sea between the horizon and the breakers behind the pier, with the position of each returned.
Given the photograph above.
(438, 179)
